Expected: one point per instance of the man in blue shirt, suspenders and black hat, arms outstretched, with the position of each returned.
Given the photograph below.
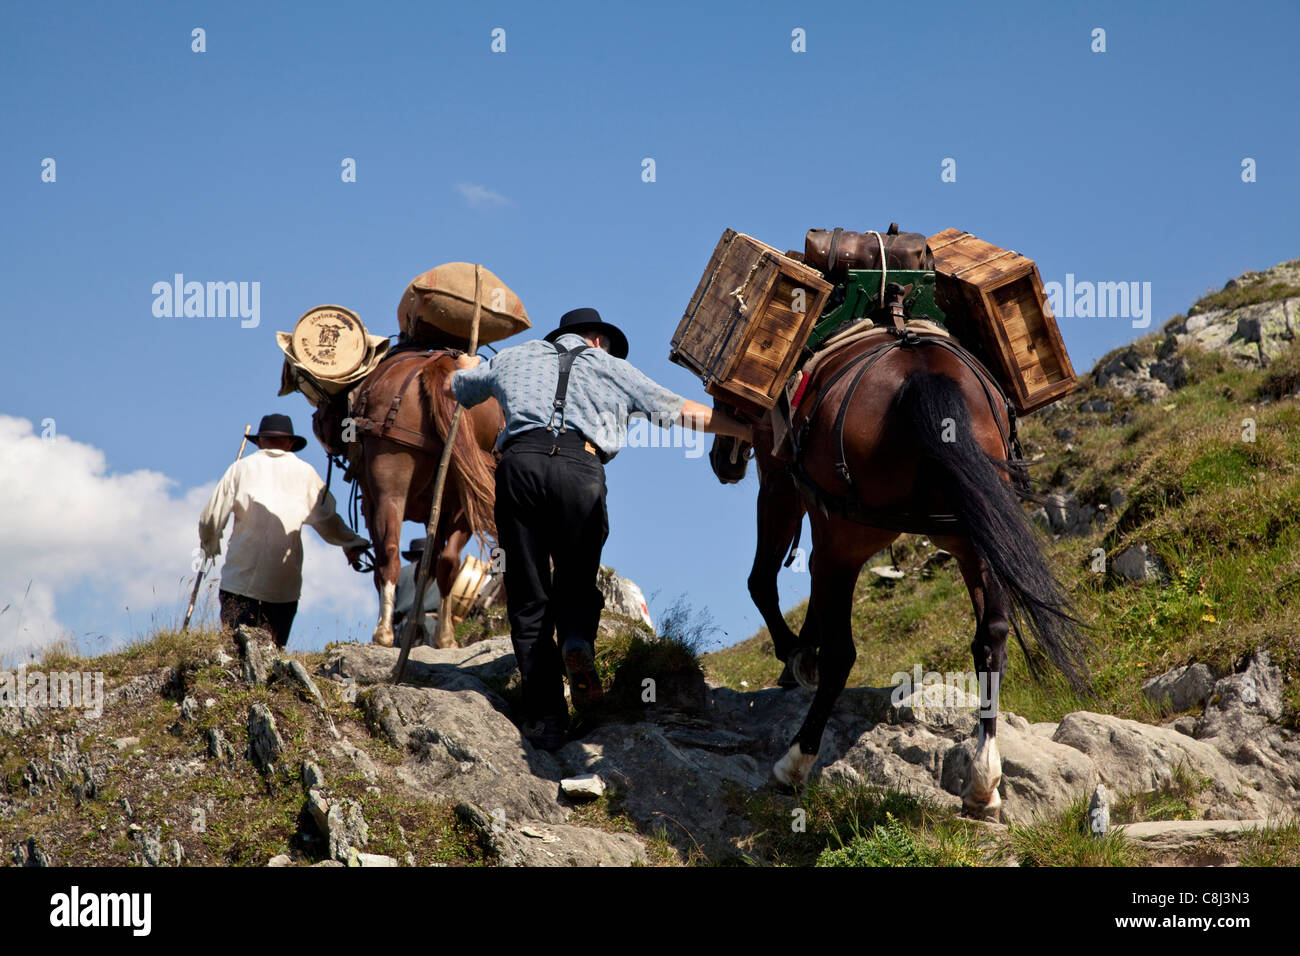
(567, 400)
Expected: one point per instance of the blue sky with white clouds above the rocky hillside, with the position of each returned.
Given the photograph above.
(226, 166)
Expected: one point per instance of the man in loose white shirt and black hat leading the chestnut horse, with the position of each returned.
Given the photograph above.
(272, 495)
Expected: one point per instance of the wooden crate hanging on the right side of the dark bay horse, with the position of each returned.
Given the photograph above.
(1007, 317)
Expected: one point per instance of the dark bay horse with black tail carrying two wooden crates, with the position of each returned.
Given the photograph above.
(896, 434)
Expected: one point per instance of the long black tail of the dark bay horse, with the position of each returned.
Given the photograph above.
(996, 525)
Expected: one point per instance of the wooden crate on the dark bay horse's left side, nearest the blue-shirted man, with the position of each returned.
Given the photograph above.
(743, 331)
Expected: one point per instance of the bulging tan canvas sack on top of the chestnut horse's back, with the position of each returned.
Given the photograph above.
(439, 308)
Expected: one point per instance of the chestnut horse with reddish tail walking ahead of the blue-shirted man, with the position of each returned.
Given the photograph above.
(402, 416)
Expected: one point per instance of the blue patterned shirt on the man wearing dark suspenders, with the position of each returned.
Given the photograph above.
(604, 392)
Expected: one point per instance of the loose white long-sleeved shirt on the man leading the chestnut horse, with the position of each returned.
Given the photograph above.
(272, 495)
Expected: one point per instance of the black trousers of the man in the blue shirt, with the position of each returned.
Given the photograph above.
(551, 508)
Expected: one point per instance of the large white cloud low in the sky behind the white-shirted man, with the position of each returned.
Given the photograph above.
(83, 546)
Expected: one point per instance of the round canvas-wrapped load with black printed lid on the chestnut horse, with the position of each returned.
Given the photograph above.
(327, 353)
